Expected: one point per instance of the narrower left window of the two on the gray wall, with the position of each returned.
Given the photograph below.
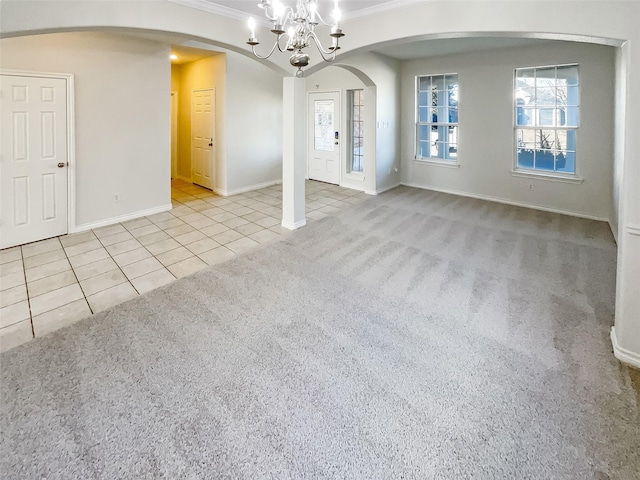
(437, 118)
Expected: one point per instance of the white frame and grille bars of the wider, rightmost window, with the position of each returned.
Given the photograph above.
(554, 174)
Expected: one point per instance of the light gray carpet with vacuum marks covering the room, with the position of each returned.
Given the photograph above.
(416, 335)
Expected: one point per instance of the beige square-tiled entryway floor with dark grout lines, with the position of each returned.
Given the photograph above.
(52, 283)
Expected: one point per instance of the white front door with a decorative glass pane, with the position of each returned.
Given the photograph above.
(324, 137)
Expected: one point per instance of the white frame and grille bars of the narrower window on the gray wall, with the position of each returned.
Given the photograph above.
(430, 124)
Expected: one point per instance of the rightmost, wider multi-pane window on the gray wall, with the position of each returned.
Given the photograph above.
(546, 118)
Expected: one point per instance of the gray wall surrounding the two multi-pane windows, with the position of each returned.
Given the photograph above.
(486, 134)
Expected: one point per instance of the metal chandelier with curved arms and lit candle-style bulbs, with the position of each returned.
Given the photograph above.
(297, 28)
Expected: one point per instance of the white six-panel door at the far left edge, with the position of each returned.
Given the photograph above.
(33, 159)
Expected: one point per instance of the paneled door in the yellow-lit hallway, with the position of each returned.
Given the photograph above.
(202, 139)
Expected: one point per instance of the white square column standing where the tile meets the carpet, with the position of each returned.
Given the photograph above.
(294, 156)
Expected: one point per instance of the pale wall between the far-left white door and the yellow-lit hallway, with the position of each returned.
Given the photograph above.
(122, 116)
